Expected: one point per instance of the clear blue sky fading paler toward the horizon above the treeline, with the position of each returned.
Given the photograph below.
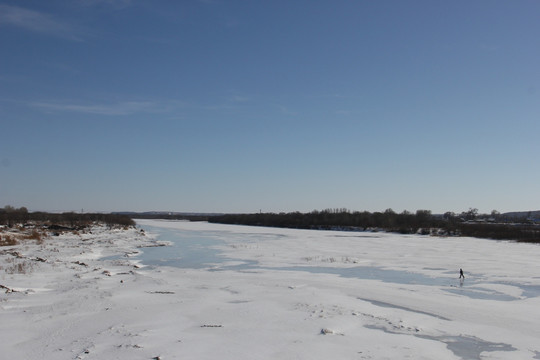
(273, 106)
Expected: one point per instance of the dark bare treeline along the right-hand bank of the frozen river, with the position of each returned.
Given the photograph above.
(468, 223)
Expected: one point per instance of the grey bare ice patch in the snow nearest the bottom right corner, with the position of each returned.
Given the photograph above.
(465, 347)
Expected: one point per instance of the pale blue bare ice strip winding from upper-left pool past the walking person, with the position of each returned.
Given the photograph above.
(204, 250)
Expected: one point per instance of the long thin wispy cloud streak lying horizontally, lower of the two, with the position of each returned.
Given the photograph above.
(120, 108)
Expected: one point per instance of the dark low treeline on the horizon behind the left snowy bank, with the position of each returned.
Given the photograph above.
(11, 216)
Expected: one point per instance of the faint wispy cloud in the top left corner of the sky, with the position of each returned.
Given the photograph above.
(36, 22)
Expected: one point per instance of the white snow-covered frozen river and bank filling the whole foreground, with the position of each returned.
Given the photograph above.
(273, 294)
